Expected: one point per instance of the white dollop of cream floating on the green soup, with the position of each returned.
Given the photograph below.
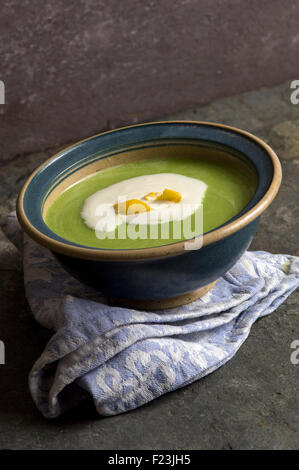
(99, 212)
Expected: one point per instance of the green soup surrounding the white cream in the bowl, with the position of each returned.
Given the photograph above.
(231, 184)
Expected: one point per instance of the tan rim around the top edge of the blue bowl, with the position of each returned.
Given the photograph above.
(162, 251)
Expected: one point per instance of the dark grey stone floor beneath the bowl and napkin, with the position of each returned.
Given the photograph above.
(252, 402)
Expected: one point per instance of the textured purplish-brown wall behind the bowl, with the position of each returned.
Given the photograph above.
(72, 68)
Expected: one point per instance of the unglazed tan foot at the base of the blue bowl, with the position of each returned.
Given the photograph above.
(163, 303)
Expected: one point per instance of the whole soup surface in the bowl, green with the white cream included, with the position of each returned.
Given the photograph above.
(224, 188)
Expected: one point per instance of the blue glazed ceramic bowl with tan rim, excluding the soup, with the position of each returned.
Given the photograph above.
(163, 276)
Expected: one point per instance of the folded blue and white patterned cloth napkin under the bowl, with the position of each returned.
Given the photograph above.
(123, 358)
